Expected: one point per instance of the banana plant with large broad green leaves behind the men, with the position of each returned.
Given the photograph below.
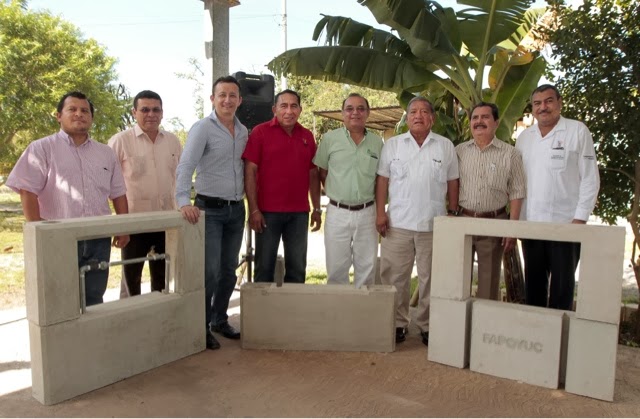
(439, 53)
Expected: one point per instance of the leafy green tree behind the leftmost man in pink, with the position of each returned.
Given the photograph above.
(41, 58)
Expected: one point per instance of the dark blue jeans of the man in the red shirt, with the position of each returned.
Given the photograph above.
(293, 228)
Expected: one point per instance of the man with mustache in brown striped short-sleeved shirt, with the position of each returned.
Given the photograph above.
(491, 176)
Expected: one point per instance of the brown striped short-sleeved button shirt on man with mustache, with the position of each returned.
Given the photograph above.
(489, 177)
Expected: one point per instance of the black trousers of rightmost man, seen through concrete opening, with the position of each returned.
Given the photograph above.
(549, 272)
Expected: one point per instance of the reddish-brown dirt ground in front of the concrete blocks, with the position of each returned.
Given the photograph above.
(247, 383)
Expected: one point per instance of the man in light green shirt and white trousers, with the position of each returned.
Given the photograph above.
(348, 160)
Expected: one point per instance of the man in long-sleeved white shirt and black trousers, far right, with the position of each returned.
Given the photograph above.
(562, 187)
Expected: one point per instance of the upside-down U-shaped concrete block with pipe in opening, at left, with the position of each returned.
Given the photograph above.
(51, 258)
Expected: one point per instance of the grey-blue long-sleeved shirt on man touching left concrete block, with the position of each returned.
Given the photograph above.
(216, 156)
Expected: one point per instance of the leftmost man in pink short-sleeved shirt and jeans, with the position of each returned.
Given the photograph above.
(69, 175)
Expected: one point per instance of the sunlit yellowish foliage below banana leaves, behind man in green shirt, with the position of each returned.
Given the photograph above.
(323, 96)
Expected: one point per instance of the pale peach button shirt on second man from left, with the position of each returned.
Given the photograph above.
(149, 168)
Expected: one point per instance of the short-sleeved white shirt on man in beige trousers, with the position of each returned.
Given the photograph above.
(418, 177)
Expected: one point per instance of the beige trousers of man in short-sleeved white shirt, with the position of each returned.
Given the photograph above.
(398, 251)
